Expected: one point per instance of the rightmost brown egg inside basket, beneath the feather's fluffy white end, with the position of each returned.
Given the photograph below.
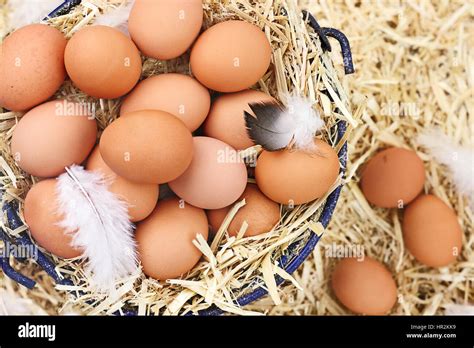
(297, 177)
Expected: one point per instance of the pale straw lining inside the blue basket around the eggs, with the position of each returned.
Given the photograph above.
(231, 266)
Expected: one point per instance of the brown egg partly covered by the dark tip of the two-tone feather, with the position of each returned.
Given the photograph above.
(226, 120)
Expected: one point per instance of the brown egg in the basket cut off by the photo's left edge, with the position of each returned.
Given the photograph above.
(31, 66)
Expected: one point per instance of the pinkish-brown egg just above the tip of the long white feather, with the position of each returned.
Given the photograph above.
(52, 136)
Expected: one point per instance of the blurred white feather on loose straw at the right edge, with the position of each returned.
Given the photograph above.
(459, 159)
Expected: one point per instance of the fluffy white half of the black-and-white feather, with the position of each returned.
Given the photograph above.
(306, 121)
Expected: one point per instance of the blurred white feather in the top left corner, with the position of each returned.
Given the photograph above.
(24, 12)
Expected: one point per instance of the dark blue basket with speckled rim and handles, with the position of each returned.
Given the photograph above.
(295, 253)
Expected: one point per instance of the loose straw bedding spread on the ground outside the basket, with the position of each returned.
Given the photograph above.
(414, 62)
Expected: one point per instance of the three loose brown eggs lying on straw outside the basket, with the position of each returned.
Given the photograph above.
(394, 178)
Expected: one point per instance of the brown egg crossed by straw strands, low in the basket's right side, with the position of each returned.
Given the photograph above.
(260, 213)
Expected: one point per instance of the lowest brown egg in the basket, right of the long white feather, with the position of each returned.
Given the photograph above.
(165, 239)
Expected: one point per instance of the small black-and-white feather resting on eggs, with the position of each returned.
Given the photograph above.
(275, 126)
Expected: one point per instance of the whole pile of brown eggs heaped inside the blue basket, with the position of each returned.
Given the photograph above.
(151, 143)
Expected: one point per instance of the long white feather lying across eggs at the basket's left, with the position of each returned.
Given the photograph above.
(99, 224)
